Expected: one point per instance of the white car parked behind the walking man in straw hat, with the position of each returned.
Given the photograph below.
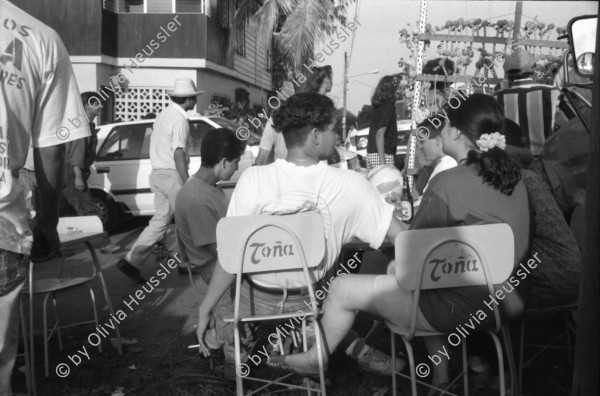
(119, 179)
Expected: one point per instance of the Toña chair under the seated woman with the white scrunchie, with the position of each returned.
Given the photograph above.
(491, 245)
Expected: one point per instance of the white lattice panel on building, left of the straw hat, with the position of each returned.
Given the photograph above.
(134, 103)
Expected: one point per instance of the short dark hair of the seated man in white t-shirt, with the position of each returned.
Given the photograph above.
(300, 113)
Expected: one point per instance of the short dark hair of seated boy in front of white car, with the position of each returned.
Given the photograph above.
(219, 143)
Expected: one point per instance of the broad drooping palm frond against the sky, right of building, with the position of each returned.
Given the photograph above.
(302, 29)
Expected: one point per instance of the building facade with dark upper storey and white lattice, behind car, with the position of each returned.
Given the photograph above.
(131, 51)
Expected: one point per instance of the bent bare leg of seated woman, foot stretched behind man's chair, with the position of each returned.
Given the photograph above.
(348, 294)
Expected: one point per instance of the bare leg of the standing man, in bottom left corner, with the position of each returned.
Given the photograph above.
(9, 326)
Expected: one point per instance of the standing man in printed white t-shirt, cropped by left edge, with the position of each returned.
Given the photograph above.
(38, 100)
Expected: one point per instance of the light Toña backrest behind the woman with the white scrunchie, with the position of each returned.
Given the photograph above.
(439, 258)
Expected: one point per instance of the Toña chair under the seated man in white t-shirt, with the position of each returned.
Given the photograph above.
(303, 233)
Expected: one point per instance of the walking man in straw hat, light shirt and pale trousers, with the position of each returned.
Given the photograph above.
(169, 159)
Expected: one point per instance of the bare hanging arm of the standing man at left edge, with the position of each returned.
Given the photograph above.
(49, 163)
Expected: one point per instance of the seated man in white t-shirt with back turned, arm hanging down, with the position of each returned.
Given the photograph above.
(349, 204)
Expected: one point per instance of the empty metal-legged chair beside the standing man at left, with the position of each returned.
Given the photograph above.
(72, 231)
